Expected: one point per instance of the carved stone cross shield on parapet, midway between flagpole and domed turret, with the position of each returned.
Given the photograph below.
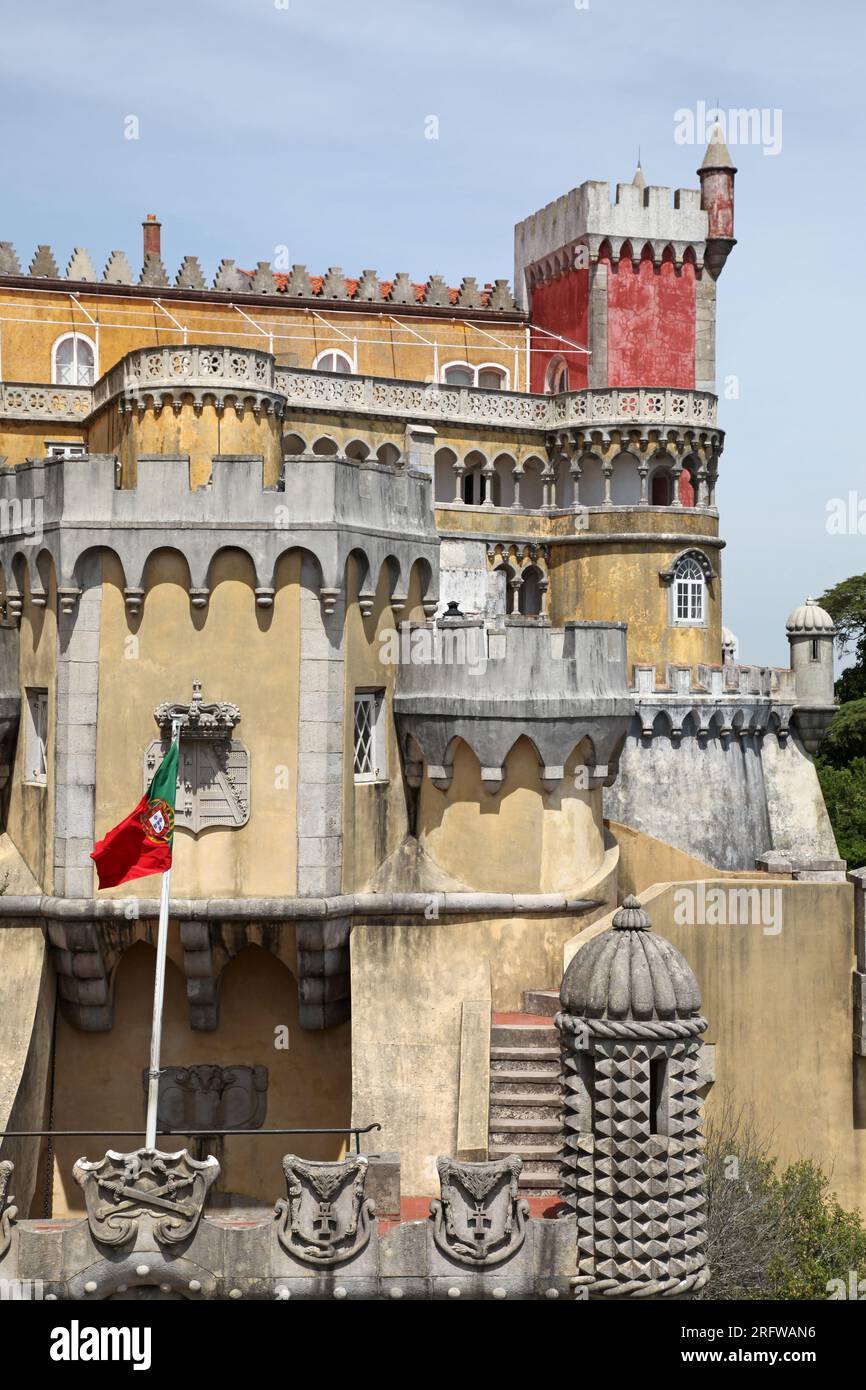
(325, 1218)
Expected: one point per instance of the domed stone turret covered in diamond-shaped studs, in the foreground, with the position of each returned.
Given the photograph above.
(633, 1167)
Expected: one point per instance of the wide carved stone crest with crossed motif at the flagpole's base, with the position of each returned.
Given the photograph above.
(165, 1191)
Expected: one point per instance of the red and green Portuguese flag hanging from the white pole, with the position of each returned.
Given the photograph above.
(142, 843)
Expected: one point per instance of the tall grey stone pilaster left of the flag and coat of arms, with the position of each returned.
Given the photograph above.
(76, 737)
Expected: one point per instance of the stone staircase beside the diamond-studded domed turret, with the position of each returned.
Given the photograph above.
(526, 1106)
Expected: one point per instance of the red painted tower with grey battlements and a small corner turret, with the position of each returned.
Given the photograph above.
(625, 294)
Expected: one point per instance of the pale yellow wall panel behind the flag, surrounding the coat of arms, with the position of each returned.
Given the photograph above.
(241, 654)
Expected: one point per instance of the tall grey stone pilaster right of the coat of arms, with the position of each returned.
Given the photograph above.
(320, 740)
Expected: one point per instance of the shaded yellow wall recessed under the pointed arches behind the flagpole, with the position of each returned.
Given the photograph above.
(99, 1075)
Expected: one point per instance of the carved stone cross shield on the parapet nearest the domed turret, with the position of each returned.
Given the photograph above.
(480, 1218)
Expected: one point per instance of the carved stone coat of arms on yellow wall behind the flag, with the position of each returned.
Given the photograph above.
(215, 769)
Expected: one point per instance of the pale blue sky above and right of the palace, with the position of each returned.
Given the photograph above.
(262, 126)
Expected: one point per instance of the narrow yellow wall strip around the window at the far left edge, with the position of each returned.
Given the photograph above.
(31, 808)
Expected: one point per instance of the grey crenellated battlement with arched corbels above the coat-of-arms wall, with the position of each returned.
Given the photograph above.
(333, 508)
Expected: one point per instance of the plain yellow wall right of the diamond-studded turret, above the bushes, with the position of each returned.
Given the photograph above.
(781, 1014)
